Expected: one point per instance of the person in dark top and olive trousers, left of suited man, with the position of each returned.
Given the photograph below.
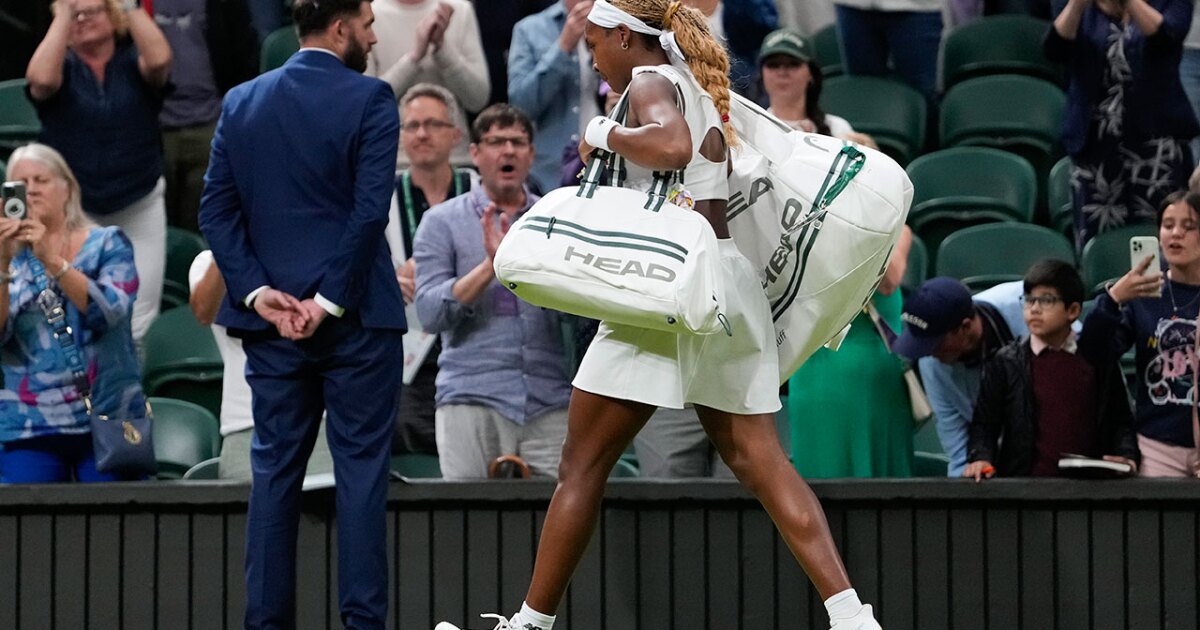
(214, 49)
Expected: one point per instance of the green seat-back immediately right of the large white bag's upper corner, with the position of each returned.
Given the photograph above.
(968, 187)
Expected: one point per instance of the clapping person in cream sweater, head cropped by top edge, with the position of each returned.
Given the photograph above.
(443, 49)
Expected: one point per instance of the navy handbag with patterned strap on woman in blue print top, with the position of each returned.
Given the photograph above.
(122, 447)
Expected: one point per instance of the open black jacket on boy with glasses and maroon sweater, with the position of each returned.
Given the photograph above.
(1006, 416)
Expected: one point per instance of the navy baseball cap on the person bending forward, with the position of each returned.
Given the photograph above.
(937, 308)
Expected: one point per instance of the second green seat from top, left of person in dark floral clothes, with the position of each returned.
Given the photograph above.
(1010, 112)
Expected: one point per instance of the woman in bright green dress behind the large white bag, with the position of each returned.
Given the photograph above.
(849, 410)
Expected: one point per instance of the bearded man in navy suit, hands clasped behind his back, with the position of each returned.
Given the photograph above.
(295, 208)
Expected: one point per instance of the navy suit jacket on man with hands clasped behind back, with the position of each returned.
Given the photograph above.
(298, 191)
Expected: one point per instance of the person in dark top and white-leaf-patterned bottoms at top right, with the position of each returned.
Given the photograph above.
(1129, 123)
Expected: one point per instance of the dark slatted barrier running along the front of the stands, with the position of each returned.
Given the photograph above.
(928, 554)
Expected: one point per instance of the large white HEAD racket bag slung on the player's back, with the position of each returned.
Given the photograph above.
(820, 219)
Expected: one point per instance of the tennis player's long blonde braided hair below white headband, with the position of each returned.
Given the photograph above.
(707, 58)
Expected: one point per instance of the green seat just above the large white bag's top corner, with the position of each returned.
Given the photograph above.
(891, 112)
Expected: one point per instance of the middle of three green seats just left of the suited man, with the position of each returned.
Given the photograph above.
(182, 359)
